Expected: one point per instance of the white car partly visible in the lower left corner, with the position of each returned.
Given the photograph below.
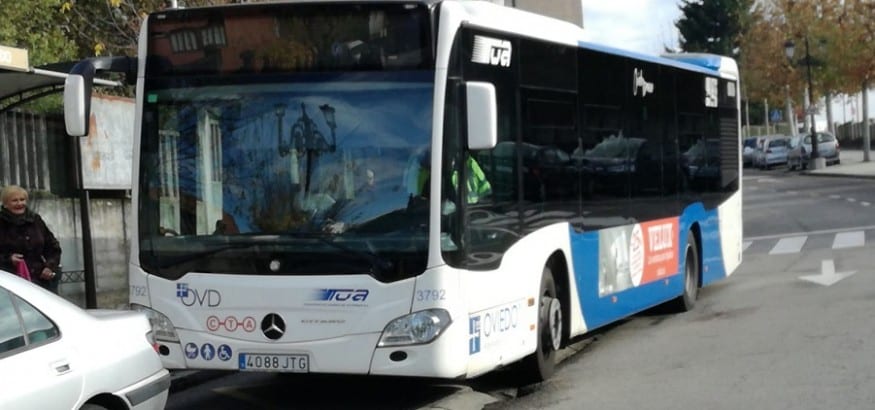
(55, 355)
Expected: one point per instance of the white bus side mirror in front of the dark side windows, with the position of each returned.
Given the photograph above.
(482, 115)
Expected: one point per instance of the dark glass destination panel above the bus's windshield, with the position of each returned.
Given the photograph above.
(289, 38)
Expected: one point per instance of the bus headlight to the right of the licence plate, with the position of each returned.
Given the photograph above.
(416, 328)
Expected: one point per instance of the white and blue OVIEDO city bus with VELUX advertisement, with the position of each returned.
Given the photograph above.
(414, 188)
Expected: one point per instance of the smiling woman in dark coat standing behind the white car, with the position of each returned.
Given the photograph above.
(25, 236)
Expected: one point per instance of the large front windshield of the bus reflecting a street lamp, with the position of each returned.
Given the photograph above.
(298, 173)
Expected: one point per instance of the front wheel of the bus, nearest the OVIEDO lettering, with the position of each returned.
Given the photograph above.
(540, 365)
